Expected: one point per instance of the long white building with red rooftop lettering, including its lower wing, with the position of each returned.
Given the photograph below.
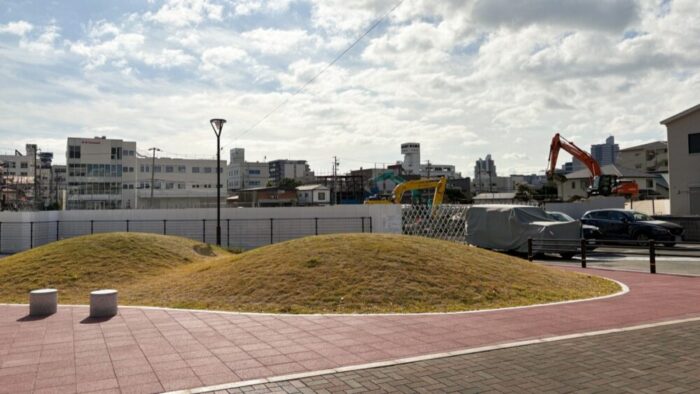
(108, 174)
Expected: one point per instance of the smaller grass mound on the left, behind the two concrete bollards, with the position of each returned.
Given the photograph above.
(79, 265)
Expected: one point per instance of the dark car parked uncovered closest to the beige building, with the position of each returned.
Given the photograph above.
(622, 224)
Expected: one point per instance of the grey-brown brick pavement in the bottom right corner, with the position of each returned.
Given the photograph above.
(654, 360)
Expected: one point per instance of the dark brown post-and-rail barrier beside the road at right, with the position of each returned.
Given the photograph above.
(585, 247)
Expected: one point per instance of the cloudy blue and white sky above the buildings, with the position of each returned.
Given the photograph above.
(463, 78)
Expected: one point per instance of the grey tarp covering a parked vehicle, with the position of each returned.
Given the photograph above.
(508, 227)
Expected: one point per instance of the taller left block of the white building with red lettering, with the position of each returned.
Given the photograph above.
(101, 173)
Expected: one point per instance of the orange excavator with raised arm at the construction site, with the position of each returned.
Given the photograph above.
(601, 184)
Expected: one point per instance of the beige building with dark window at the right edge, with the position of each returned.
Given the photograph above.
(683, 135)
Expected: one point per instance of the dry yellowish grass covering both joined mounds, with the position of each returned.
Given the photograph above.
(357, 273)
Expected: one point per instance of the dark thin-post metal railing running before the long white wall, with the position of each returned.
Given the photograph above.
(236, 233)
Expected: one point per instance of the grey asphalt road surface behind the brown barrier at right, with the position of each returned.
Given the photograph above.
(684, 261)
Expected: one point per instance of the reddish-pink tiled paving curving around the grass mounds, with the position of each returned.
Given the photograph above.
(150, 350)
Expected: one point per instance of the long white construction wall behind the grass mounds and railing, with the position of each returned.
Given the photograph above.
(246, 228)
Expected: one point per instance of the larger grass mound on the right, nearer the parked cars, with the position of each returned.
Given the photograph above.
(364, 273)
